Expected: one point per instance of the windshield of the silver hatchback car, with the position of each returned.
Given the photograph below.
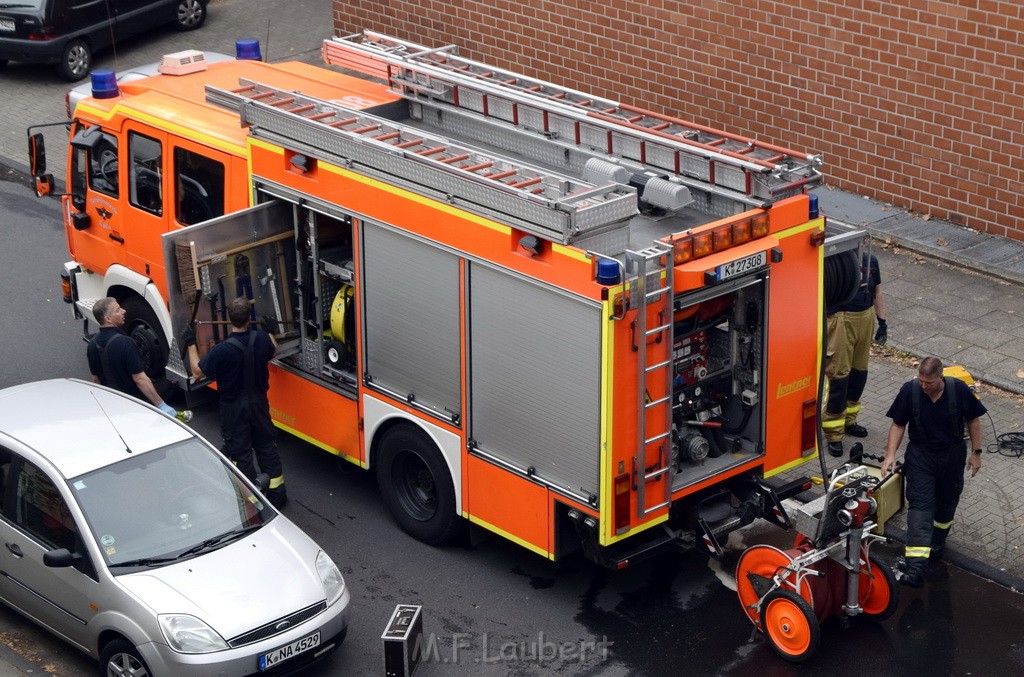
(176, 502)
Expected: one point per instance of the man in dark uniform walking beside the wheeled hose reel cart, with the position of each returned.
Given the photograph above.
(936, 409)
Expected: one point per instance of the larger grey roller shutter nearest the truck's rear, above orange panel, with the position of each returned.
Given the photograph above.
(535, 358)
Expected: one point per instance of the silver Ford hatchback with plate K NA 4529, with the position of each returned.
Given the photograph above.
(133, 538)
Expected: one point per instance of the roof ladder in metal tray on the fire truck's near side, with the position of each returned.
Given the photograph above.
(539, 201)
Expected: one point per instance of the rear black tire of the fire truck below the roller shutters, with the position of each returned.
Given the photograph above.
(416, 486)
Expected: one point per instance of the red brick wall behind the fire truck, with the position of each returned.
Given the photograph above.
(918, 103)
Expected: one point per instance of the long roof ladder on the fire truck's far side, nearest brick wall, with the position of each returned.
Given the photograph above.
(760, 173)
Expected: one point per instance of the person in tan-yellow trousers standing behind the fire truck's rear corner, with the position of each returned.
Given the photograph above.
(851, 328)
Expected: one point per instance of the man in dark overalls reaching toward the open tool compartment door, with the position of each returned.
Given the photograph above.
(240, 367)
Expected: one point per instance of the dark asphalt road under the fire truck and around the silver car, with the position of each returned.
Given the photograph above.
(492, 608)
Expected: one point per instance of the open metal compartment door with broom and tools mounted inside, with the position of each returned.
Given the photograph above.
(249, 253)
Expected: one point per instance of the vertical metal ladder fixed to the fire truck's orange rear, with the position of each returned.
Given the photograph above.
(652, 287)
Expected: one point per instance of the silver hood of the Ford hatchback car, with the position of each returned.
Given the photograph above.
(242, 586)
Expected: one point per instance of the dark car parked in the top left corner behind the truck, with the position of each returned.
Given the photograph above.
(69, 32)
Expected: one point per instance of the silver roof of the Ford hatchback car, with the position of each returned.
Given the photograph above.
(79, 427)
